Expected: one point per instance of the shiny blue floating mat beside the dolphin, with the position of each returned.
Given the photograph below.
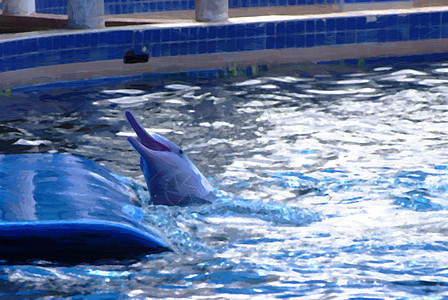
(60, 207)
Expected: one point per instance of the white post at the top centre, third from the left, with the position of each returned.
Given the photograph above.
(211, 10)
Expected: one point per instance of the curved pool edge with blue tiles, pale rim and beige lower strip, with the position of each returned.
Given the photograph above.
(240, 42)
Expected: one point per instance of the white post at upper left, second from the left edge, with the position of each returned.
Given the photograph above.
(85, 13)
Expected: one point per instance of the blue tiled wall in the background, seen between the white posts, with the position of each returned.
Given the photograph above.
(138, 6)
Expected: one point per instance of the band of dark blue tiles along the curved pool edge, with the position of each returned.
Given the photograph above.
(201, 39)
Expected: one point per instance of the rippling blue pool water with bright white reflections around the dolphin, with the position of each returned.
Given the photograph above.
(332, 183)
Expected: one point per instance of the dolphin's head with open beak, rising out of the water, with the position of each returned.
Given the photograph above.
(171, 177)
